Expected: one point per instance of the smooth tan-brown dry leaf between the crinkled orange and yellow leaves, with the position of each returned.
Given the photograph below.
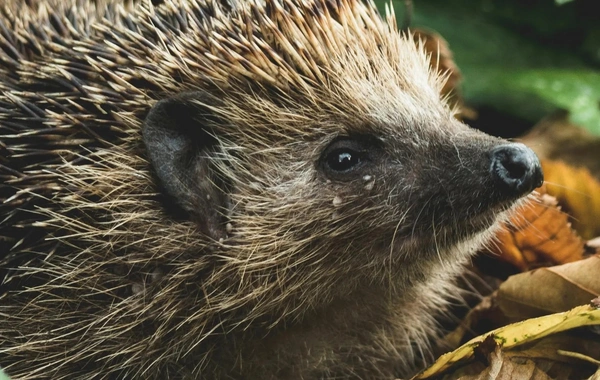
(550, 290)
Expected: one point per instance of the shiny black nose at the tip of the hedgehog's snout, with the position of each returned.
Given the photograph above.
(516, 169)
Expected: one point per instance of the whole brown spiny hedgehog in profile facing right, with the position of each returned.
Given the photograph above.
(255, 189)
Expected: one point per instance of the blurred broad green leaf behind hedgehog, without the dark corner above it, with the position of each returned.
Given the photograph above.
(505, 71)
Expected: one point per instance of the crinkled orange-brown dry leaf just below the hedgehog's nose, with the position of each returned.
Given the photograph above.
(538, 234)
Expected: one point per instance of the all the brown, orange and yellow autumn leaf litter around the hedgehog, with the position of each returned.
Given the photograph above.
(544, 318)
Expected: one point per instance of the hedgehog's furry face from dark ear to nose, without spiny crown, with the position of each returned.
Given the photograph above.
(358, 192)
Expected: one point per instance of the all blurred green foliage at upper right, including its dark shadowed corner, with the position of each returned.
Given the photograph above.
(521, 59)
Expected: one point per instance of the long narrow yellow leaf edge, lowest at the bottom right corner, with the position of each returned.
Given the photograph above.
(516, 334)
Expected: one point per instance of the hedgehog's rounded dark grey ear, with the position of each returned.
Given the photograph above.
(181, 150)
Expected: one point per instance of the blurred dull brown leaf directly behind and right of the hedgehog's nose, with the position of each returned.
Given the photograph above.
(556, 138)
